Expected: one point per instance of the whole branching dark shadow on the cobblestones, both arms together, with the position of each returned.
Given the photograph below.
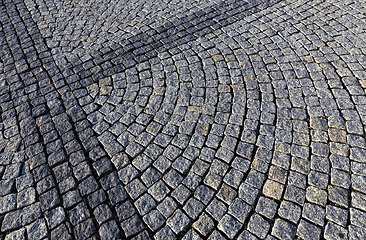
(39, 89)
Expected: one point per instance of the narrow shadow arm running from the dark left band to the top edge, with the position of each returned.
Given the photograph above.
(146, 45)
